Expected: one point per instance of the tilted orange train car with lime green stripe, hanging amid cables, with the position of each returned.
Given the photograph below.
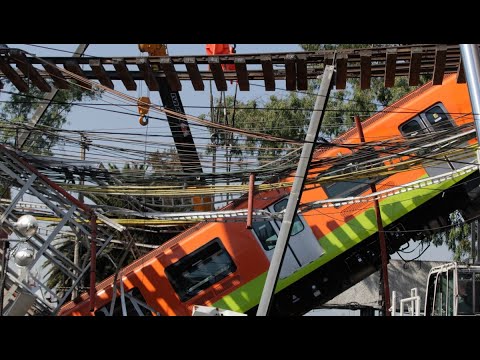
(330, 248)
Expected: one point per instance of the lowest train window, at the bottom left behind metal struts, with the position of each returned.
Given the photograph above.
(134, 304)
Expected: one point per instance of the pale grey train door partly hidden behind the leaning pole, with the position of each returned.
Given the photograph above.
(303, 246)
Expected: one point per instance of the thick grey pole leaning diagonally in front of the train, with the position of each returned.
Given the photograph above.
(296, 192)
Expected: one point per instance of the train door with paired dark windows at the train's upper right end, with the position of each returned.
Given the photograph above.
(436, 119)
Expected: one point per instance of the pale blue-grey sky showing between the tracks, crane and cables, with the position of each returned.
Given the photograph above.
(91, 119)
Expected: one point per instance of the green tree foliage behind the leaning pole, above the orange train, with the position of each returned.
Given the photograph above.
(288, 116)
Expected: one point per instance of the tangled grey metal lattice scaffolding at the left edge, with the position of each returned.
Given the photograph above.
(19, 175)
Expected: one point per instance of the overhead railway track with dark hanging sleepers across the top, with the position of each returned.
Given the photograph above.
(295, 68)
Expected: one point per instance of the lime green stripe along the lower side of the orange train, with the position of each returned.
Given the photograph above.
(338, 241)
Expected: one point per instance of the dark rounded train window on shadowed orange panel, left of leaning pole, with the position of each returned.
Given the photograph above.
(200, 269)
